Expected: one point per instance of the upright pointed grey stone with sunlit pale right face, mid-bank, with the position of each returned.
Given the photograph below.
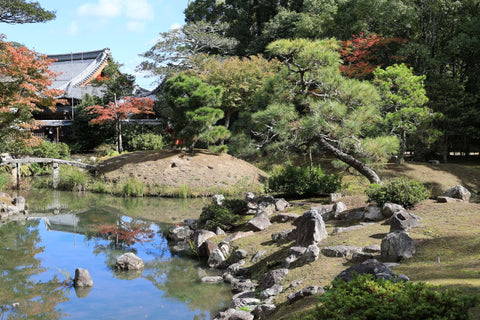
(310, 229)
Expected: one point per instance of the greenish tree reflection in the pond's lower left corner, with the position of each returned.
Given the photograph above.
(36, 299)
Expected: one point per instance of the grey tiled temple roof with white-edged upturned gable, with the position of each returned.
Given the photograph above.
(76, 70)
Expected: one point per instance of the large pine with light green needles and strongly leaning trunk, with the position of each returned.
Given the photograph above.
(335, 112)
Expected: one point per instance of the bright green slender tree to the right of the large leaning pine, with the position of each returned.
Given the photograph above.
(403, 99)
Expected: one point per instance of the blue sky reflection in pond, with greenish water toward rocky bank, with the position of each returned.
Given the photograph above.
(169, 287)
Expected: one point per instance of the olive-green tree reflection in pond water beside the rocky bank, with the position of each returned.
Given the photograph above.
(179, 279)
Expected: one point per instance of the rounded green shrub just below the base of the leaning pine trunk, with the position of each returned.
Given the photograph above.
(402, 191)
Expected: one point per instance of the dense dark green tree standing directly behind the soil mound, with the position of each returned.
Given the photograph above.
(191, 109)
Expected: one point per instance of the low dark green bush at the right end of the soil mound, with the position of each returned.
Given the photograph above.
(301, 181)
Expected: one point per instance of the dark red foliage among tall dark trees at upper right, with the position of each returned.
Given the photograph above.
(364, 53)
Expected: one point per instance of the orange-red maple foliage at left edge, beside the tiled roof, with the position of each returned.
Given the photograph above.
(24, 88)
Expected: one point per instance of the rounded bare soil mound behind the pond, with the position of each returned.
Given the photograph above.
(203, 171)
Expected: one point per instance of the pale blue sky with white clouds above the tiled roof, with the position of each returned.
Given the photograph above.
(127, 27)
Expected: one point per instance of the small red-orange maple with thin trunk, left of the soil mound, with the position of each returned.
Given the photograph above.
(117, 111)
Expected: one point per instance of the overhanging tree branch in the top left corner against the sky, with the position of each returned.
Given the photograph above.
(21, 11)
